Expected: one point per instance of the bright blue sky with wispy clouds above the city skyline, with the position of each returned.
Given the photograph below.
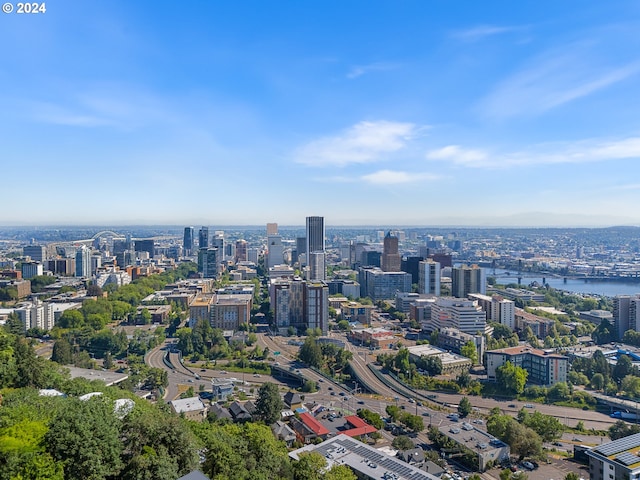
(366, 112)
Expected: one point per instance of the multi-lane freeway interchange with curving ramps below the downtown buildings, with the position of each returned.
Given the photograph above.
(384, 389)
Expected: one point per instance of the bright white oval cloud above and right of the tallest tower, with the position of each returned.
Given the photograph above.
(364, 142)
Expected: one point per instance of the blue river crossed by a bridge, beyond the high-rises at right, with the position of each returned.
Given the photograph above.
(573, 285)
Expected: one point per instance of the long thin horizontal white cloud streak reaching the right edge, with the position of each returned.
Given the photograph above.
(578, 152)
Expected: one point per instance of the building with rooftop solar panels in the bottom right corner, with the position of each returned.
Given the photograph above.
(617, 459)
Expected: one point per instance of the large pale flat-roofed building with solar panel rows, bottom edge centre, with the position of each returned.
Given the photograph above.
(365, 461)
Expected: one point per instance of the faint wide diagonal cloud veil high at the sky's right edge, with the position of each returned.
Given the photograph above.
(554, 79)
